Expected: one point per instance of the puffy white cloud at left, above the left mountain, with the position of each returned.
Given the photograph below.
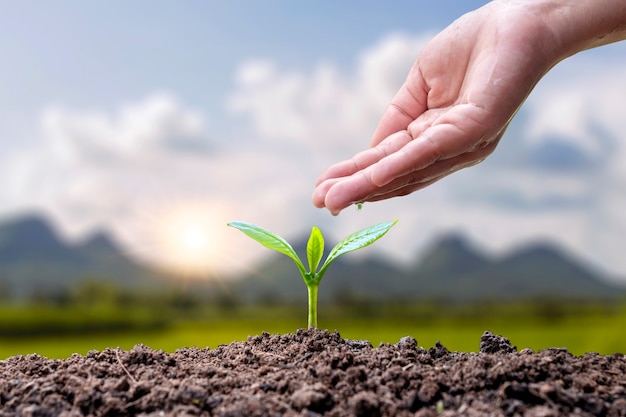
(88, 167)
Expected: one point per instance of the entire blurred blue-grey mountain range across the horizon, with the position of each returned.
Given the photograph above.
(34, 260)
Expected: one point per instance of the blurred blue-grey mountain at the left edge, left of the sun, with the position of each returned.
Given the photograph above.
(34, 260)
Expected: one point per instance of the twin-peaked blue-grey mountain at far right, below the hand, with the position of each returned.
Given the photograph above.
(453, 270)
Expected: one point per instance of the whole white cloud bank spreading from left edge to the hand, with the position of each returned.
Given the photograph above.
(122, 168)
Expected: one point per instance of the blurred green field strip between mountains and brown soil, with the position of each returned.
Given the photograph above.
(579, 327)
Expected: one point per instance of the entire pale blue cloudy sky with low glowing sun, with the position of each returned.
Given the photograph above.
(161, 121)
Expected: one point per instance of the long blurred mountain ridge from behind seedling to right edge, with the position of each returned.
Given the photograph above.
(451, 269)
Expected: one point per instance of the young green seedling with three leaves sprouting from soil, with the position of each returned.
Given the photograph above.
(314, 252)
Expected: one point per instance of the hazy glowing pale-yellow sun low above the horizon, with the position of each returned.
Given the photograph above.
(192, 239)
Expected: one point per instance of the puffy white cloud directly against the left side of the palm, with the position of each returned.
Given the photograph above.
(326, 110)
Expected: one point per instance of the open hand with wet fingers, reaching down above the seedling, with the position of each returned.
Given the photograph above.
(453, 108)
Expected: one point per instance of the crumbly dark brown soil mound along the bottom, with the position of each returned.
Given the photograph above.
(316, 373)
